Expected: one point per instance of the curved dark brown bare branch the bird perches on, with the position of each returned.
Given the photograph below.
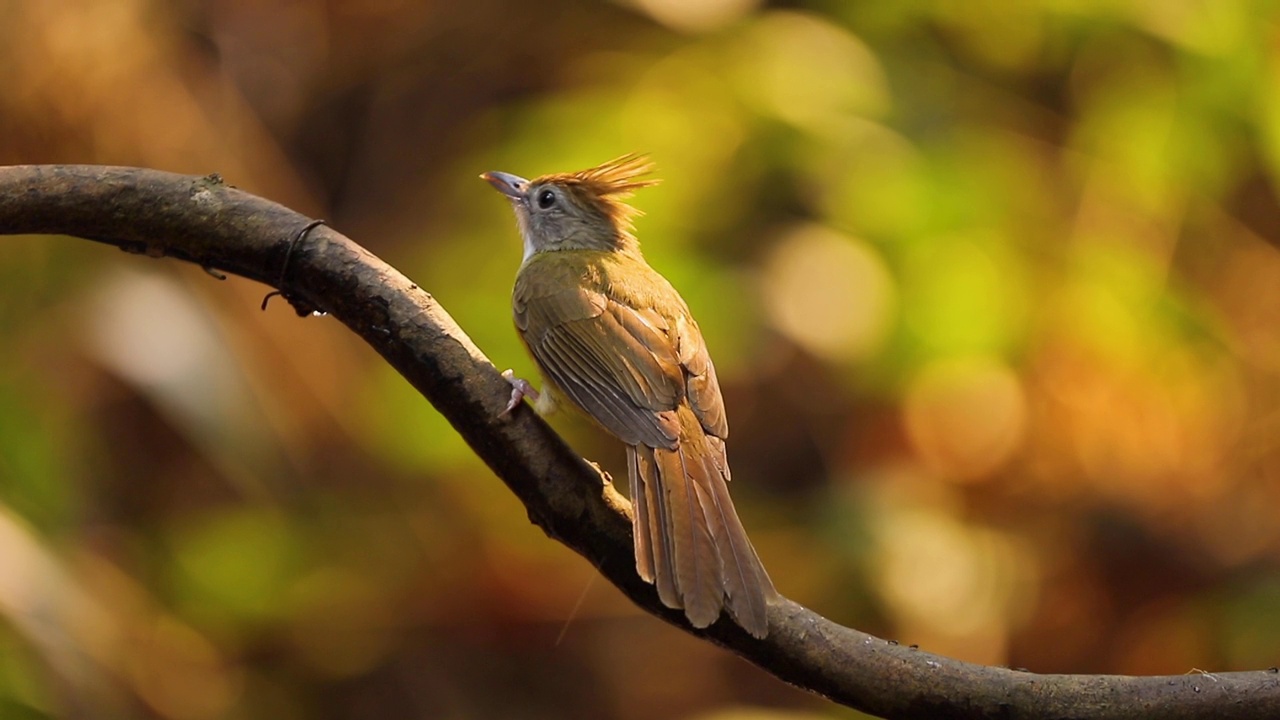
(213, 225)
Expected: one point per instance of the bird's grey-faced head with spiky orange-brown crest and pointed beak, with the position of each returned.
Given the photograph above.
(583, 211)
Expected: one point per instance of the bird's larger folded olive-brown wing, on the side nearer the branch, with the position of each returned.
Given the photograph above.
(621, 366)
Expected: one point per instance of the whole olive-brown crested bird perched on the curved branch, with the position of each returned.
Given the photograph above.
(614, 339)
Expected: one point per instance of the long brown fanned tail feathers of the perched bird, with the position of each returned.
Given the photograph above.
(689, 540)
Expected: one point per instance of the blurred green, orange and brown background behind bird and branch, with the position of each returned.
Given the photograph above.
(993, 288)
